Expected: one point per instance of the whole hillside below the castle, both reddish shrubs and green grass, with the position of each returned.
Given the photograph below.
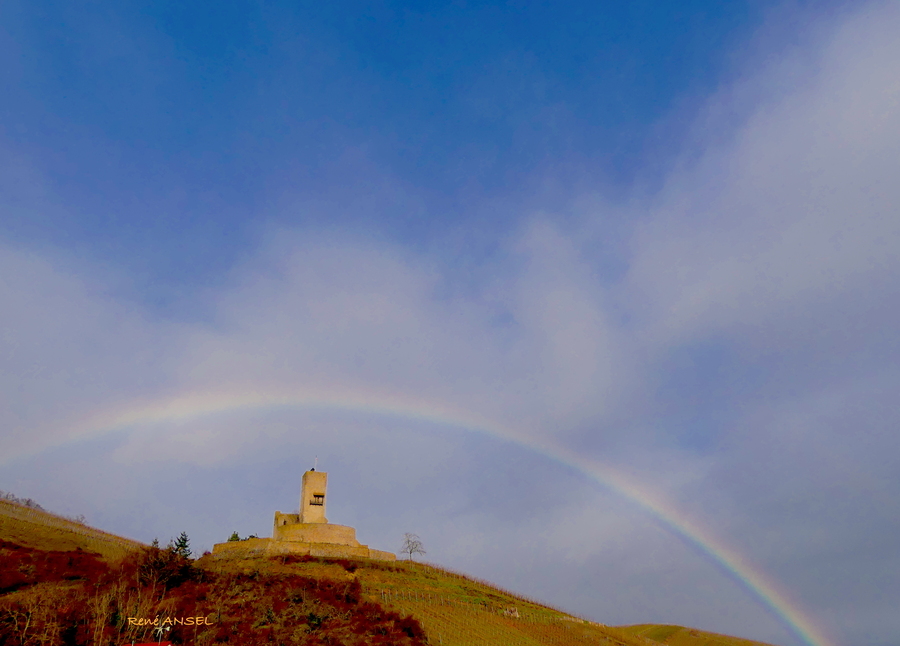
(63, 582)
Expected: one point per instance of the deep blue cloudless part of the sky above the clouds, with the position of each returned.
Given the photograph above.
(177, 129)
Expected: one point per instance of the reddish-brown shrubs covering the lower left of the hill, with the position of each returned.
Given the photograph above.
(74, 598)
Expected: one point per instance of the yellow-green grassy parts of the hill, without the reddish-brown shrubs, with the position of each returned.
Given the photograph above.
(455, 610)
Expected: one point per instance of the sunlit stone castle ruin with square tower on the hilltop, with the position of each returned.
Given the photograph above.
(307, 532)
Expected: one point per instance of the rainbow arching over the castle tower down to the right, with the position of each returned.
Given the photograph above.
(198, 404)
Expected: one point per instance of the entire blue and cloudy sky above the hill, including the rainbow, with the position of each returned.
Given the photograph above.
(598, 299)
